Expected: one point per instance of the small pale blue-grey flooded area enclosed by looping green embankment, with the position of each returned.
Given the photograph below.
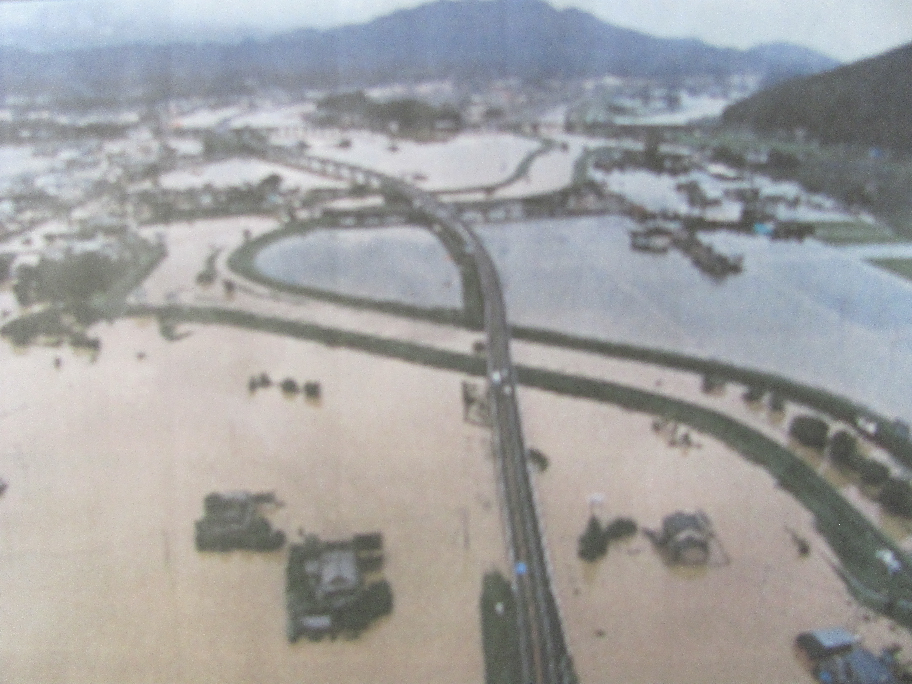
(403, 264)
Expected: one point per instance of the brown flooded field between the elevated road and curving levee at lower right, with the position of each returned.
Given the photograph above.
(630, 617)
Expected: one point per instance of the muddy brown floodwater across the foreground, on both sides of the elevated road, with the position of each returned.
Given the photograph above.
(108, 462)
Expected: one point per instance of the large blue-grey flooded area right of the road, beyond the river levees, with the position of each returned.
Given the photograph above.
(807, 311)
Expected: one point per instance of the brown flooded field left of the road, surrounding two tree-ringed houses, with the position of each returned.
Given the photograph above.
(108, 463)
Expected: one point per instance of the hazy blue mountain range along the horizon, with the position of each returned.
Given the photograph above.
(472, 39)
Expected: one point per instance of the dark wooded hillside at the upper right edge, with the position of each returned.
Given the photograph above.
(868, 102)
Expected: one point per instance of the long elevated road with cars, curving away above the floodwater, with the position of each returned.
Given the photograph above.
(545, 658)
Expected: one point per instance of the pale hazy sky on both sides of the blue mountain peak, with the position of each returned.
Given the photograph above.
(845, 29)
